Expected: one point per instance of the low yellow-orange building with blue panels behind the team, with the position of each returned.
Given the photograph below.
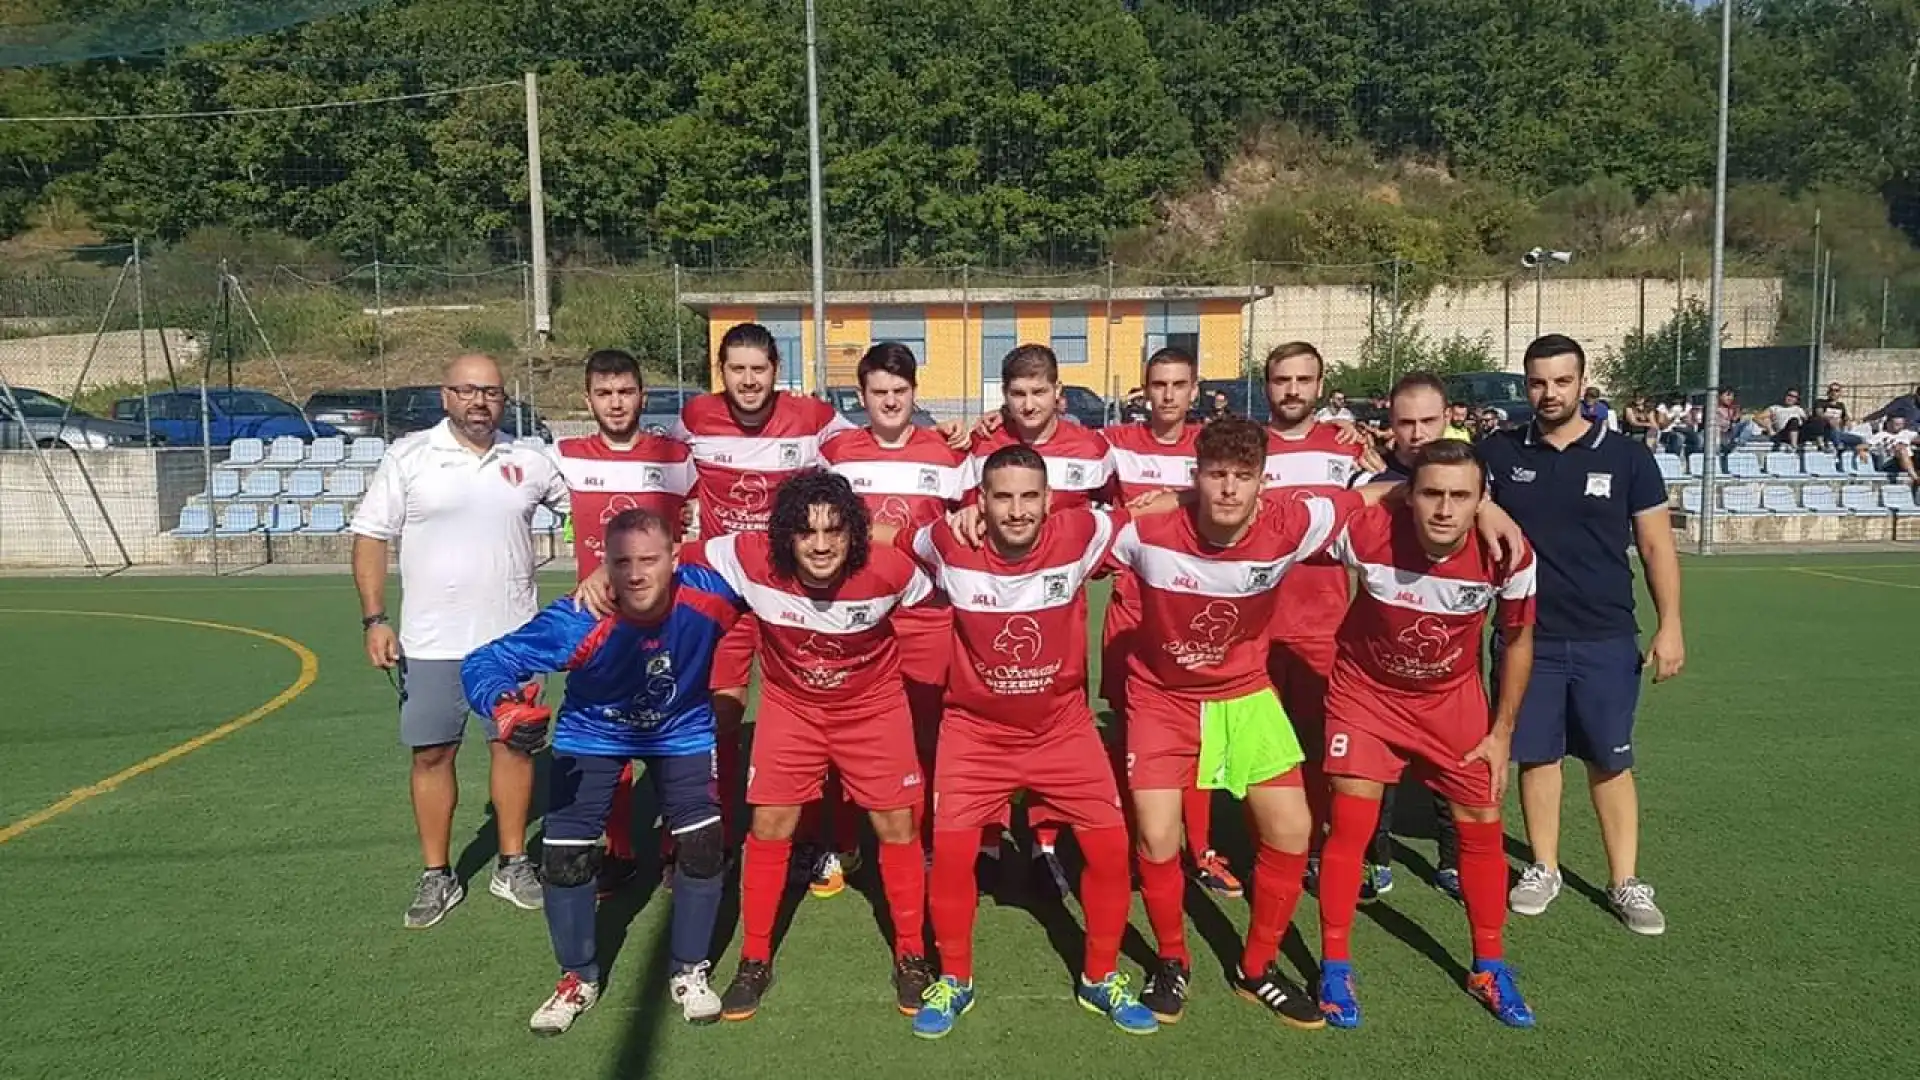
(963, 335)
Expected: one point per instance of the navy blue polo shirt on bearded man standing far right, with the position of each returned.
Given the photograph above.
(1577, 508)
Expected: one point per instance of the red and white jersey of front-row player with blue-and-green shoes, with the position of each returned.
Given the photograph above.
(1020, 624)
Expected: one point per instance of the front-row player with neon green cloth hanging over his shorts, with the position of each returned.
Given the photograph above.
(1201, 708)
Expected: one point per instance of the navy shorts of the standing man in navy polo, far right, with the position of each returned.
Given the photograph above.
(1581, 700)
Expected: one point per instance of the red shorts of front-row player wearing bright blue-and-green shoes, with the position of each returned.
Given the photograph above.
(1063, 770)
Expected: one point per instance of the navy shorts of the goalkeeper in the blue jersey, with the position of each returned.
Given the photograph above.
(581, 793)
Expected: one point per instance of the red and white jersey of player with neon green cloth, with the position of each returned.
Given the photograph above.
(1205, 610)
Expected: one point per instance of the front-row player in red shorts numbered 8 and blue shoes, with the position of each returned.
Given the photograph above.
(1406, 689)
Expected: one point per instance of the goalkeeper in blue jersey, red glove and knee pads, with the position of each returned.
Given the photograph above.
(636, 689)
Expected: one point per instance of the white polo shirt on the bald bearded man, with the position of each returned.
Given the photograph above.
(464, 526)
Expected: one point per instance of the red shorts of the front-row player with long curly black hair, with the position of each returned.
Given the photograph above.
(873, 750)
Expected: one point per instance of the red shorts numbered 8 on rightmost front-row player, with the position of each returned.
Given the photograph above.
(1376, 733)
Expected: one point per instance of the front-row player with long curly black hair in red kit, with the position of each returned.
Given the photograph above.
(832, 699)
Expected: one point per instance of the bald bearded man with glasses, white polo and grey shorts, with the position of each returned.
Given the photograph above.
(460, 501)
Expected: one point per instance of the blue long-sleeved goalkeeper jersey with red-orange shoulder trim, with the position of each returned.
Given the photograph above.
(633, 691)
